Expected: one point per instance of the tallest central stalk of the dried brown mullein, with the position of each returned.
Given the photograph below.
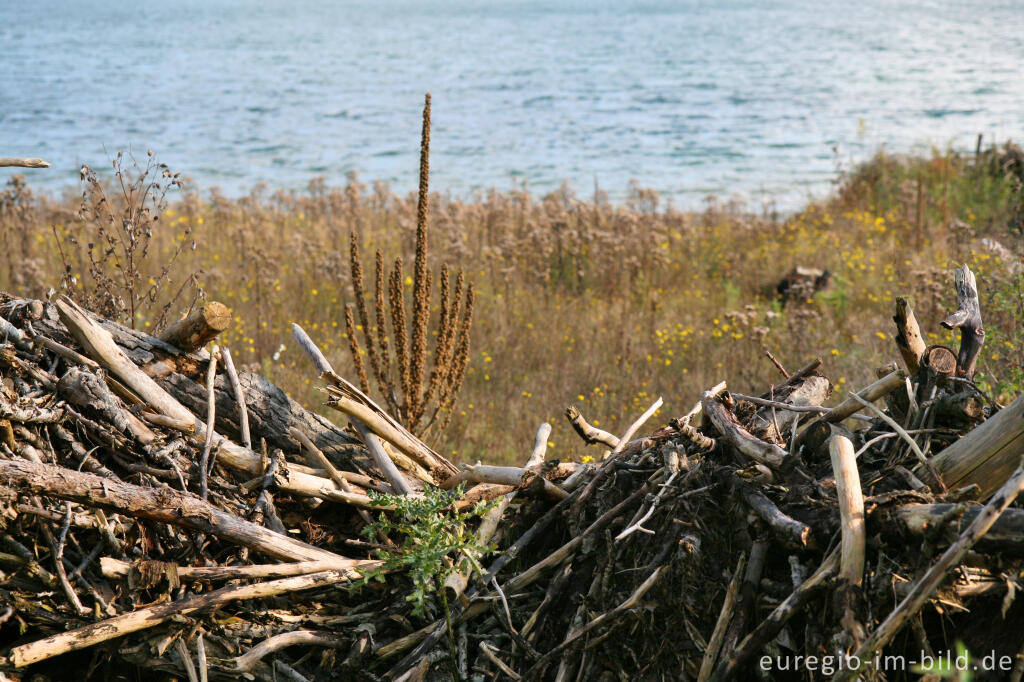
(421, 280)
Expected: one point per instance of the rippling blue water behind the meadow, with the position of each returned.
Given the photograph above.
(756, 100)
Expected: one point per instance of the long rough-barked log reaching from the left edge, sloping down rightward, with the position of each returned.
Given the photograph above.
(164, 505)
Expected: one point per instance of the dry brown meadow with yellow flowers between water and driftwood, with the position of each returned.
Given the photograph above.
(579, 301)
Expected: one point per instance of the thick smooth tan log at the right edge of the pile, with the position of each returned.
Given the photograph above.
(988, 455)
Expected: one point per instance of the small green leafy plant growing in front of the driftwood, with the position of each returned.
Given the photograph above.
(436, 542)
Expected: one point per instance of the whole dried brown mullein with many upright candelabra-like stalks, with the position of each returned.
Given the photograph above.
(423, 404)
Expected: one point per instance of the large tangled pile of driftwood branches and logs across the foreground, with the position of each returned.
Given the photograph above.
(164, 516)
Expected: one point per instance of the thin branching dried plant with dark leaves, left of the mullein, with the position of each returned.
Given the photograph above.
(122, 284)
